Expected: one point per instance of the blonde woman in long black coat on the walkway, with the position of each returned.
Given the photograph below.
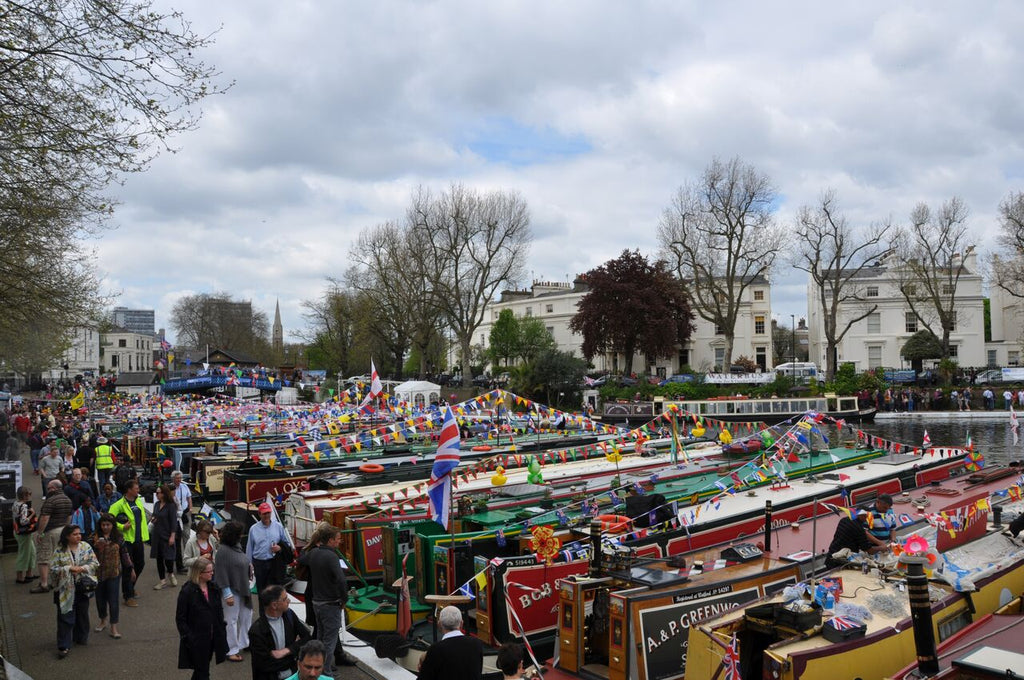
(200, 620)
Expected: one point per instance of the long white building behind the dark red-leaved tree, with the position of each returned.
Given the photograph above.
(557, 304)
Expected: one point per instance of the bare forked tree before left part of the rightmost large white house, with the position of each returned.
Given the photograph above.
(836, 258)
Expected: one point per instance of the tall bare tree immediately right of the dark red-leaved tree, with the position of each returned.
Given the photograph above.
(721, 237)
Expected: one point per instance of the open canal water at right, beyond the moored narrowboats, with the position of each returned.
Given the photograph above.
(992, 437)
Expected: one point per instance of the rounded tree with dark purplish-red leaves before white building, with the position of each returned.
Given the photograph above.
(632, 306)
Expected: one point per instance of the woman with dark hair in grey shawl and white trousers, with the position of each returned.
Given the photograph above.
(233, 572)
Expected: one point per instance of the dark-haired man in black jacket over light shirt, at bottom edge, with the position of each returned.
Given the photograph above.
(275, 639)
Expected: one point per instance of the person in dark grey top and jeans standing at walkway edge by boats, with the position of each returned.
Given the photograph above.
(329, 591)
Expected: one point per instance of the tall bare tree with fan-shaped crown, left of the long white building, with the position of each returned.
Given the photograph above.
(471, 245)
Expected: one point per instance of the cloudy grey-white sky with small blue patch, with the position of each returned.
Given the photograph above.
(595, 112)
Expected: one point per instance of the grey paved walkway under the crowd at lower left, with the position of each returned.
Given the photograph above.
(149, 649)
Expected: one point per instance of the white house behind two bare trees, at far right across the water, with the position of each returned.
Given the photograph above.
(877, 341)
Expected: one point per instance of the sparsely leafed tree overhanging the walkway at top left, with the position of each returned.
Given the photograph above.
(90, 91)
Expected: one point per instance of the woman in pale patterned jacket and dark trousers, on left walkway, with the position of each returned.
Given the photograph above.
(73, 563)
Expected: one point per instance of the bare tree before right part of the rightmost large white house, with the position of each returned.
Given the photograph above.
(932, 253)
